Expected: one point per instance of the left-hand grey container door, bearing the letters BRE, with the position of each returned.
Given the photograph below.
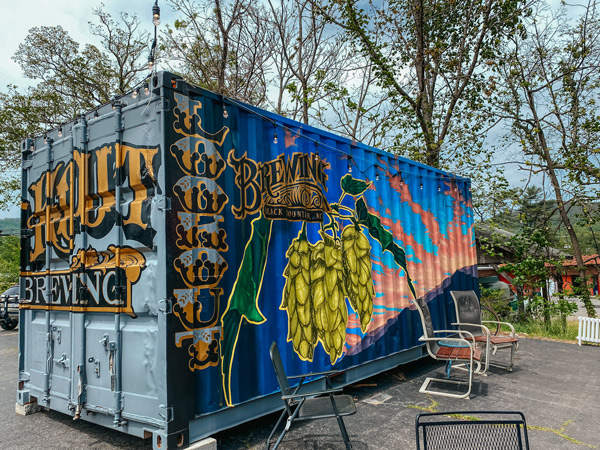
(47, 244)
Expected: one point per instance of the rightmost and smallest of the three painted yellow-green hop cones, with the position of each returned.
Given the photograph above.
(358, 281)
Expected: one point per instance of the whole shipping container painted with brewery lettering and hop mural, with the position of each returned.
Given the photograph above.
(169, 238)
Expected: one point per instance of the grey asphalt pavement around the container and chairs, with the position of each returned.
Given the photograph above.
(555, 384)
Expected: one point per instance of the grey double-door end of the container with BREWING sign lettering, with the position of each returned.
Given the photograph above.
(90, 279)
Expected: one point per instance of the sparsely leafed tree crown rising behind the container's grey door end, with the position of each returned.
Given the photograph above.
(89, 76)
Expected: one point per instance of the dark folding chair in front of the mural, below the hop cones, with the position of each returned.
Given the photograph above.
(309, 405)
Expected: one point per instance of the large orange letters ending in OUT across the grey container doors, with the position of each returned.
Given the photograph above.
(58, 203)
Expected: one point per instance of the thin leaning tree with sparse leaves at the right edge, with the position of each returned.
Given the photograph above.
(549, 96)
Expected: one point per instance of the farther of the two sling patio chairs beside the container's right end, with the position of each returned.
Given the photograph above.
(468, 318)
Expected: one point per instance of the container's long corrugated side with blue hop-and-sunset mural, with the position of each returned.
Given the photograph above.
(269, 194)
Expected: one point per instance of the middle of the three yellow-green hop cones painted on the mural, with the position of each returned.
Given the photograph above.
(327, 288)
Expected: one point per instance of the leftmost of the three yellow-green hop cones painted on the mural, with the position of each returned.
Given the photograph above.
(297, 299)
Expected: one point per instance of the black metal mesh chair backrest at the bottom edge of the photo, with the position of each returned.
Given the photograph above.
(505, 430)
